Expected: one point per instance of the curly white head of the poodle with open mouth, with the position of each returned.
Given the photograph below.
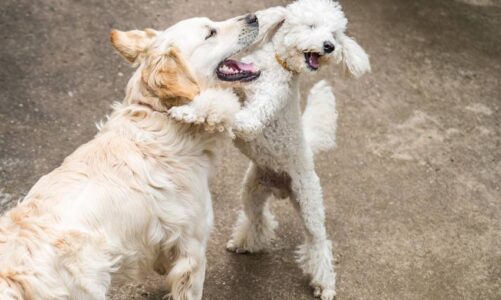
(313, 33)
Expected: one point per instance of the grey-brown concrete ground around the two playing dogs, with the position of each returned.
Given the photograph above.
(412, 192)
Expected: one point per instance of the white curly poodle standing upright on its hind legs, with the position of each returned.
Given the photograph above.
(279, 143)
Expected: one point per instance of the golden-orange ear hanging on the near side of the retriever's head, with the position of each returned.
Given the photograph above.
(169, 78)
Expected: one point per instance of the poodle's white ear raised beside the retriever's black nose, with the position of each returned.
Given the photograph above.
(270, 21)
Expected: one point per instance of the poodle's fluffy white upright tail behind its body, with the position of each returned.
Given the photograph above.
(320, 118)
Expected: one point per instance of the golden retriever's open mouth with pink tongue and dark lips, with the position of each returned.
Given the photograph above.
(233, 70)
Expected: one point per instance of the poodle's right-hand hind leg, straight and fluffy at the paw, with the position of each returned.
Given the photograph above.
(315, 255)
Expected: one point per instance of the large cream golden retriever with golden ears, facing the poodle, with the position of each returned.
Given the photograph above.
(136, 197)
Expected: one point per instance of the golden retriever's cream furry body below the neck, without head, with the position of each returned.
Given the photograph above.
(107, 210)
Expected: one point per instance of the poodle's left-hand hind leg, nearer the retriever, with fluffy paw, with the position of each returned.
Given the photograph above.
(255, 227)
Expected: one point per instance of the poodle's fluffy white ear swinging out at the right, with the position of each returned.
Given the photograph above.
(355, 60)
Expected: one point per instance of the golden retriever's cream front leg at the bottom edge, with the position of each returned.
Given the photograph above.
(186, 277)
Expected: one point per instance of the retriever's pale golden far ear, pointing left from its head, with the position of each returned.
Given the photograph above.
(130, 44)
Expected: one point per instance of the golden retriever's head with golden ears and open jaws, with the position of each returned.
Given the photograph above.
(175, 64)
